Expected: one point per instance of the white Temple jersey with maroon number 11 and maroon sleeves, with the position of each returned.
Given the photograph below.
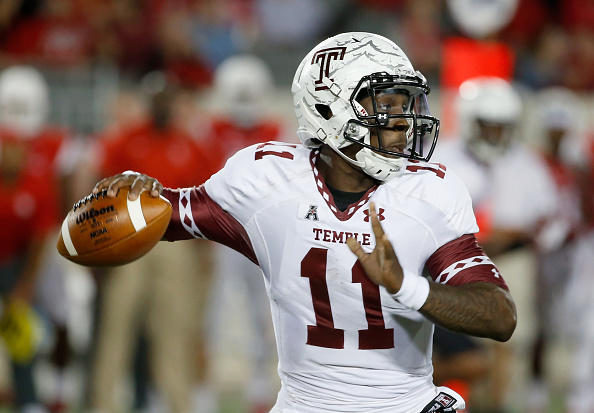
(344, 343)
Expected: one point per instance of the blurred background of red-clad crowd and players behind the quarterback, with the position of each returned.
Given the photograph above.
(90, 88)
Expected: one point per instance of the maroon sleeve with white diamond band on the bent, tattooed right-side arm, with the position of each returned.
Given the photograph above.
(462, 261)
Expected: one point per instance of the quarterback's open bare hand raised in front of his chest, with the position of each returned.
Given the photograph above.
(381, 265)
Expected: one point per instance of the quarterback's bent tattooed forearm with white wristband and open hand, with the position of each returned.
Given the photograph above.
(483, 309)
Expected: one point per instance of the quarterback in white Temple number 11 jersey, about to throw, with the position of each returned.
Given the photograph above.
(342, 227)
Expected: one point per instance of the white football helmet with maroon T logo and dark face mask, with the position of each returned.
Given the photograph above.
(345, 67)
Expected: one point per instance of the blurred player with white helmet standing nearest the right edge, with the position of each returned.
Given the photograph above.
(558, 121)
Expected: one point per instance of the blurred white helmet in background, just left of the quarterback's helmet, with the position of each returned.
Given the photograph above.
(244, 82)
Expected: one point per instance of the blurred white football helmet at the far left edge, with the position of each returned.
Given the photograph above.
(24, 100)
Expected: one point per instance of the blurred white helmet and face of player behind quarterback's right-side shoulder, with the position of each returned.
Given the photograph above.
(489, 109)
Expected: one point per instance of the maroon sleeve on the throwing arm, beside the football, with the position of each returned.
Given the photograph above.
(196, 215)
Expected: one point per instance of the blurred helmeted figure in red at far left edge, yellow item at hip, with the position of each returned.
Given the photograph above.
(29, 213)
